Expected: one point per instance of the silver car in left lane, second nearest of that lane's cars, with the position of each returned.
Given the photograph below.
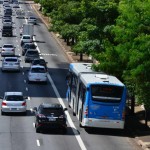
(11, 64)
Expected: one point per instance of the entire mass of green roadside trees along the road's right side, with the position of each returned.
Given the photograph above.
(116, 33)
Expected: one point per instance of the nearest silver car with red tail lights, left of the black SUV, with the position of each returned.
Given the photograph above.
(13, 102)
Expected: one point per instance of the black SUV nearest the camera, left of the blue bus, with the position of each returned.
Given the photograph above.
(50, 116)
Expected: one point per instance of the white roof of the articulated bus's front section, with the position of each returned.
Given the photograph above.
(80, 67)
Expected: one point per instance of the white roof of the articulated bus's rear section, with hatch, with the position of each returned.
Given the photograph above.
(98, 78)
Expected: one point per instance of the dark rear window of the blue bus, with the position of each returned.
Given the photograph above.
(107, 93)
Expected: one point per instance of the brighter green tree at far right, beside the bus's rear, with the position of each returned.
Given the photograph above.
(131, 48)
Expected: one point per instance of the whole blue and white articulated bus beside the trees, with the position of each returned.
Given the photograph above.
(97, 99)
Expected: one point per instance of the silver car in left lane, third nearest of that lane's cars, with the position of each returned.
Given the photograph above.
(8, 50)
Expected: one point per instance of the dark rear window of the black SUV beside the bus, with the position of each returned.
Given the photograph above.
(48, 111)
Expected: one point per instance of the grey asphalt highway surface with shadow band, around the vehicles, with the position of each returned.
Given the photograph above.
(17, 132)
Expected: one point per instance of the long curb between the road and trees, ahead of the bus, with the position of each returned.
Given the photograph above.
(54, 36)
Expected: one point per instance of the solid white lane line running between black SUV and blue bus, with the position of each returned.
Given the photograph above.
(78, 137)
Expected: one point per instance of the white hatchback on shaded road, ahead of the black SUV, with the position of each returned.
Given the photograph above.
(37, 73)
